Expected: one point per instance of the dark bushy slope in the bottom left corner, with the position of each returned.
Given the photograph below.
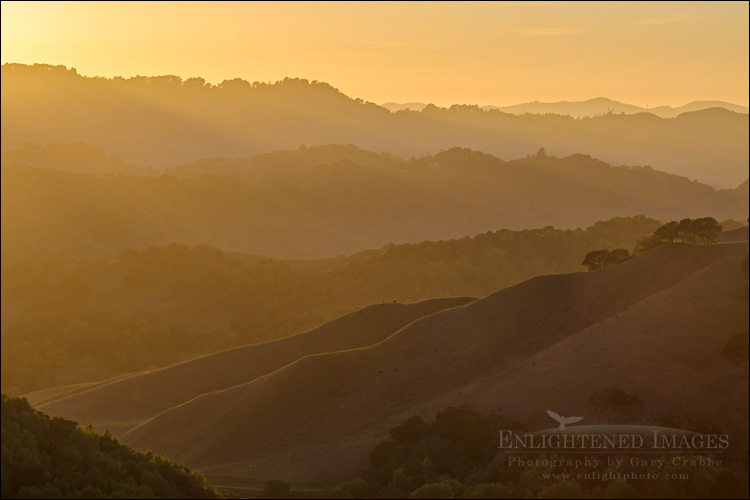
(54, 458)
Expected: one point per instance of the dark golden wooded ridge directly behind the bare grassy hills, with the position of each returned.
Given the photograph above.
(65, 323)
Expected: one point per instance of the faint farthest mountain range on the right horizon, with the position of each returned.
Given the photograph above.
(590, 107)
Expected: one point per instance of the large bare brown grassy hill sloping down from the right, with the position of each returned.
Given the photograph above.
(654, 325)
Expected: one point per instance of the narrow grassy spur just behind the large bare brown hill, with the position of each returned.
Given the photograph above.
(121, 403)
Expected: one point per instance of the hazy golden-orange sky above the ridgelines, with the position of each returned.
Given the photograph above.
(644, 53)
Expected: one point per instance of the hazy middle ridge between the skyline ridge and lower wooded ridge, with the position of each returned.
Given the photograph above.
(322, 202)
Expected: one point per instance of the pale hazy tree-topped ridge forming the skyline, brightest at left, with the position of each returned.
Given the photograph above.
(161, 121)
